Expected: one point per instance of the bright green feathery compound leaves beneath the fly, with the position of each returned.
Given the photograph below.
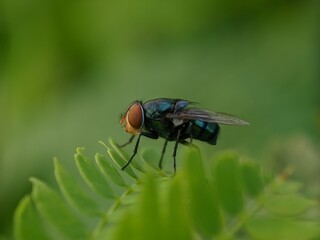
(232, 200)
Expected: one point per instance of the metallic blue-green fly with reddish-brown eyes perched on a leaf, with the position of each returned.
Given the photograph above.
(174, 120)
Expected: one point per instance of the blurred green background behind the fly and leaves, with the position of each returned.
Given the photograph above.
(69, 68)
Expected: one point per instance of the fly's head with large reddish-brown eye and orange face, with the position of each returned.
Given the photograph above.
(133, 119)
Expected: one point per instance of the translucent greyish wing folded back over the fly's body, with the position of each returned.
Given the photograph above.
(206, 116)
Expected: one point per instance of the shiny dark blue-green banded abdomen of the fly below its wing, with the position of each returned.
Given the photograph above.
(204, 131)
